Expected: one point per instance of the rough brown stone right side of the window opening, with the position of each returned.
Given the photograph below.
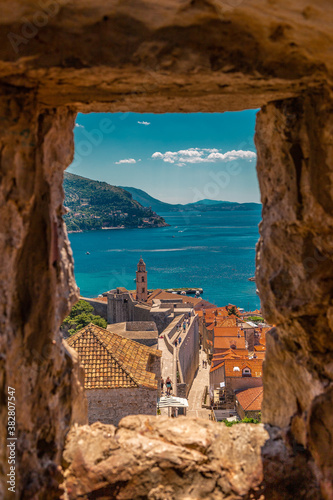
(294, 270)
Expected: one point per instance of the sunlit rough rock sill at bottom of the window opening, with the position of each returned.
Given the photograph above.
(184, 458)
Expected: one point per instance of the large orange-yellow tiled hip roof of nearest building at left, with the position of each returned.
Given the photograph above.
(111, 361)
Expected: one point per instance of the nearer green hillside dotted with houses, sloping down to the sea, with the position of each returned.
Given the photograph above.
(97, 205)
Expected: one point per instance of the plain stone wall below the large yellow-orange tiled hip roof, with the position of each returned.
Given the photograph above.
(109, 406)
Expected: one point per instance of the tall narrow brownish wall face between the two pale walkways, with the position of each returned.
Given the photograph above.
(188, 352)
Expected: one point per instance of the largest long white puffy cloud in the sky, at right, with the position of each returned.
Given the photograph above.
(203, 155)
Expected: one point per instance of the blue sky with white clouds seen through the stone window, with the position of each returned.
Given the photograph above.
(177, 158)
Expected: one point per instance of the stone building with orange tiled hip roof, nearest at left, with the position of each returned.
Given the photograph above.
(121, 375)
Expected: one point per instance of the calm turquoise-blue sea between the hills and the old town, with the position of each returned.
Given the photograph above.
(214, 251)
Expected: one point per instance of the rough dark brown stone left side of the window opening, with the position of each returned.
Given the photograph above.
(37, 289)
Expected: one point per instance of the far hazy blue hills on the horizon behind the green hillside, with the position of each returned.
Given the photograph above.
(203, 205)
